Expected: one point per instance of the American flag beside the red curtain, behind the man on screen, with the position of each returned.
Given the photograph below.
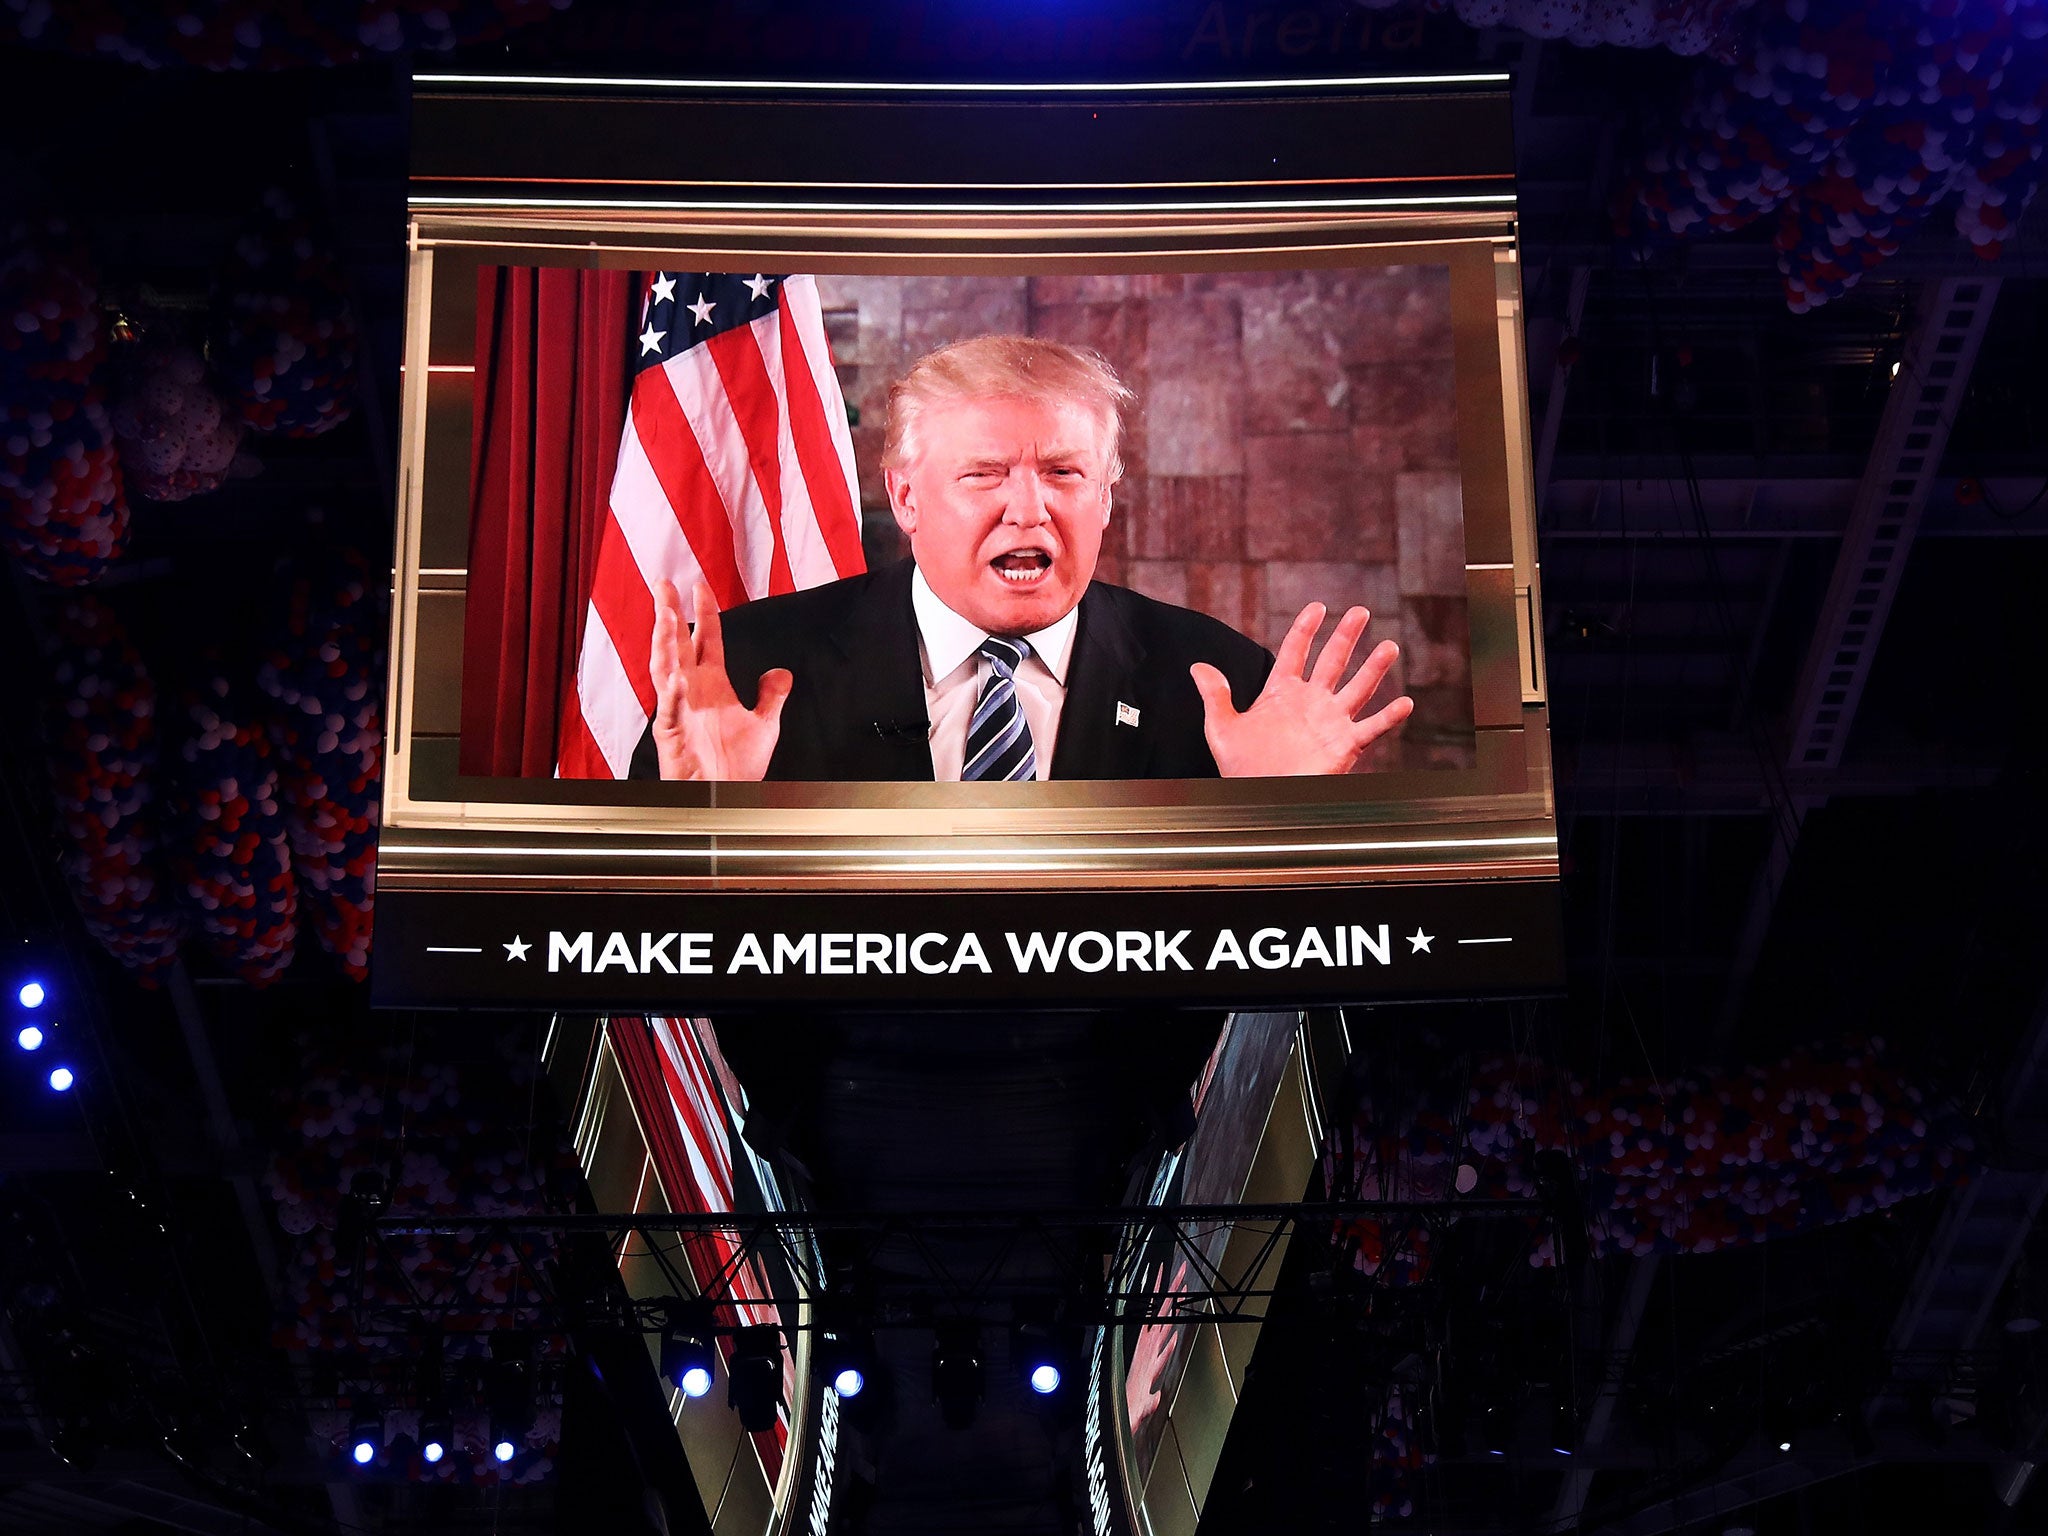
(736, 470)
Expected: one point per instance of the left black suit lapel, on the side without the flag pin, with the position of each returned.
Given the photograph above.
(884, 716)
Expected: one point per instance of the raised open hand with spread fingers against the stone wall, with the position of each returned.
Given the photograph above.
(1304, 722)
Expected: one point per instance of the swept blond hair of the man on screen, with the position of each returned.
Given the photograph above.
(1005, 368)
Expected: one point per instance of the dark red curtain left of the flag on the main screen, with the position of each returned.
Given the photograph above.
(550, 407)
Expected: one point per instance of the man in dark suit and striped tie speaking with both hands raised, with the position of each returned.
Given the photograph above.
(994, 652)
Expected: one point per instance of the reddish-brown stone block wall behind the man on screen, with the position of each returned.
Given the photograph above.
(1295, 441)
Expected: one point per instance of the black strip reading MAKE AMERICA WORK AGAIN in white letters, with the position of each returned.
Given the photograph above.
(761, 951)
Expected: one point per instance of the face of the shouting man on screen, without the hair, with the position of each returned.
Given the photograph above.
(1005, 507)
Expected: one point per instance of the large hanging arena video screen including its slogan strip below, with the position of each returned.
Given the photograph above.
(1035, 566)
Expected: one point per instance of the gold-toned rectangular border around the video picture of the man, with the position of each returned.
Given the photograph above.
(1494, 818)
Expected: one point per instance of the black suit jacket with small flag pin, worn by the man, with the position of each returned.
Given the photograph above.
(857, 708)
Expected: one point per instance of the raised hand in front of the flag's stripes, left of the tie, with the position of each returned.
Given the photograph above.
(701, 730)
